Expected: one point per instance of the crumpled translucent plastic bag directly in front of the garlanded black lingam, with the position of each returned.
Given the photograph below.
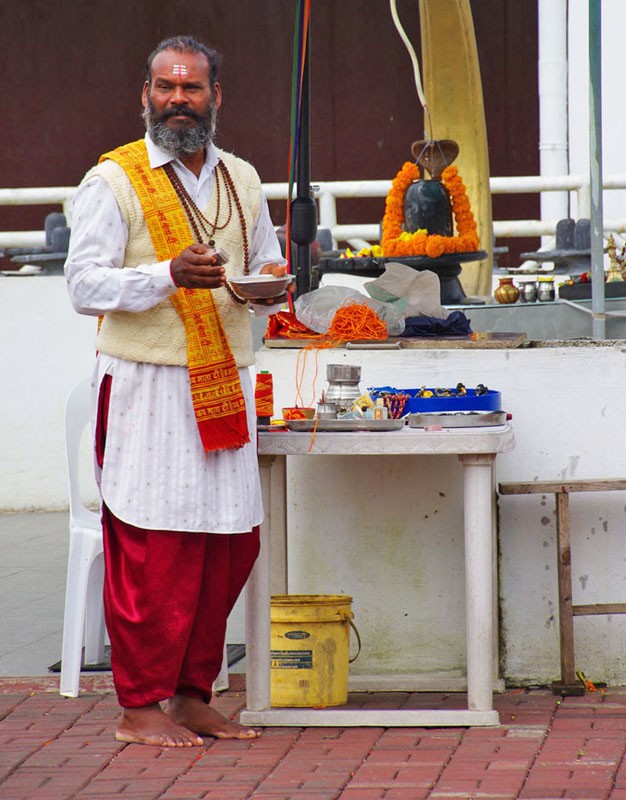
(415, 293)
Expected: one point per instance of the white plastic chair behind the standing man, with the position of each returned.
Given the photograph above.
(84, 607)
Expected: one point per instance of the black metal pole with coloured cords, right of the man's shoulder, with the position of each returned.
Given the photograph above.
(303, 209)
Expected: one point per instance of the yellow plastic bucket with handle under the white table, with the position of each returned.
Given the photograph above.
(310, 643)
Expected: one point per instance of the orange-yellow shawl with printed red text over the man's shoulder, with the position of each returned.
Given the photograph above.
(216, 393)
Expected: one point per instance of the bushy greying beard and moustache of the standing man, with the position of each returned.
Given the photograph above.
(185, 139)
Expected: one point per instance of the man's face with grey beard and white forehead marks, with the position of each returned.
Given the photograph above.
(180, 107)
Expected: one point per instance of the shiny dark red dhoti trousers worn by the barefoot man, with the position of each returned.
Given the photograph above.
(167, 596)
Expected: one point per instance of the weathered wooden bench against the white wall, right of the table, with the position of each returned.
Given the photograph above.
(569, 683)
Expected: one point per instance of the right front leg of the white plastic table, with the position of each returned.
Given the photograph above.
(477, 487)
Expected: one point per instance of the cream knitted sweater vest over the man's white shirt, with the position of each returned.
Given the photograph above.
(157, 336)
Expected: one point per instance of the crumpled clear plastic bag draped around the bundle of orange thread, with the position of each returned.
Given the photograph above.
(316, 309)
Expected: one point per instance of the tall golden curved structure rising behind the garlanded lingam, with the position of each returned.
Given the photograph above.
(454, 94)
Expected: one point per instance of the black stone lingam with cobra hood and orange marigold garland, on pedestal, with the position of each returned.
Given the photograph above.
(418, 228)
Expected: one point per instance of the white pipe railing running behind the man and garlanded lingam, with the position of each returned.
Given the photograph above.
(328, 192)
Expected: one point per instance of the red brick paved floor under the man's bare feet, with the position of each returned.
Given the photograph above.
(53, 748)
